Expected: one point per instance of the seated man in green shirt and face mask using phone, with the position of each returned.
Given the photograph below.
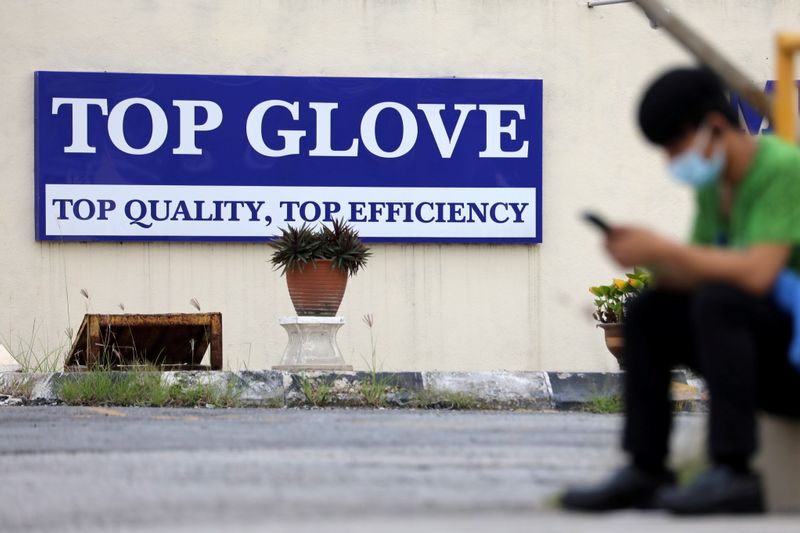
(712, 308)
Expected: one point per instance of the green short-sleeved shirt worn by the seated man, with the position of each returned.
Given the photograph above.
(766, 205)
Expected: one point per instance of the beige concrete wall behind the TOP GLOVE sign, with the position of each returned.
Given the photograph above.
(454, 307)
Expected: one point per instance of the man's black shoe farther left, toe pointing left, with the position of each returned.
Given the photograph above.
(629, 487)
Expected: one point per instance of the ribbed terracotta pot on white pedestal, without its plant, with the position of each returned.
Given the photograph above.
(316, 290)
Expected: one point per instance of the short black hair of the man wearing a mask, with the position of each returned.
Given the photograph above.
(679, 100)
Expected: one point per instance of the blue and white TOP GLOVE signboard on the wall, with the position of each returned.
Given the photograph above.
(194, 157)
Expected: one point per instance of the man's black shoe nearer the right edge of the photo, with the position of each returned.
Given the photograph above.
(719, 489)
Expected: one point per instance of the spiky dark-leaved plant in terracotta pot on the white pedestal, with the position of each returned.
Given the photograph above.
(317, 263)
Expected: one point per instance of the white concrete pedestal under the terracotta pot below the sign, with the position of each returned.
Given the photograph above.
(312, 344)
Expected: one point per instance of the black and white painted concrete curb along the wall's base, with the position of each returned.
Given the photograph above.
(487, 390)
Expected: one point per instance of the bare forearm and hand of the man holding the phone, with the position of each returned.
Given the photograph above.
(753, 270)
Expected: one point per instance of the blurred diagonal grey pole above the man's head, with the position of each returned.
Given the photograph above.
(707, 55)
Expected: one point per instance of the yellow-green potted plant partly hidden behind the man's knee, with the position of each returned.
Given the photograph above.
(610, 306)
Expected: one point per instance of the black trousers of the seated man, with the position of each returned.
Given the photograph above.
(736, 341)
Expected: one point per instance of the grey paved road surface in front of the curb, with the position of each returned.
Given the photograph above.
(198, 470)
